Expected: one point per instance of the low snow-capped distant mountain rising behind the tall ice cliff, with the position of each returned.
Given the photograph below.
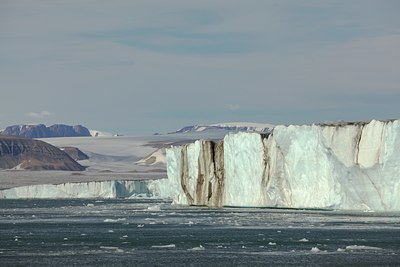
(228, 127)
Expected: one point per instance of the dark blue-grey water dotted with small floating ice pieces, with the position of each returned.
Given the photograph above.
(154, 233)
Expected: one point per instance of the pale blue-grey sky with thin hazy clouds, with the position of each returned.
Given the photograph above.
(140, 67)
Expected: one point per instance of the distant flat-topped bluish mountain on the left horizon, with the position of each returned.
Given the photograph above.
(41, 131)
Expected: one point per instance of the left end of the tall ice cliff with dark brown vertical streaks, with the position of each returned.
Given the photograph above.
(195, 174)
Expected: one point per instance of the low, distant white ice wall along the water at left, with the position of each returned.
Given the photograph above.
(103, 189)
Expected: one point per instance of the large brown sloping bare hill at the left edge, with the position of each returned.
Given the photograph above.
(29, 154)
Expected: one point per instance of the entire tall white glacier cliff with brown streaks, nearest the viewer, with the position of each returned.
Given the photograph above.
(350, 166)
